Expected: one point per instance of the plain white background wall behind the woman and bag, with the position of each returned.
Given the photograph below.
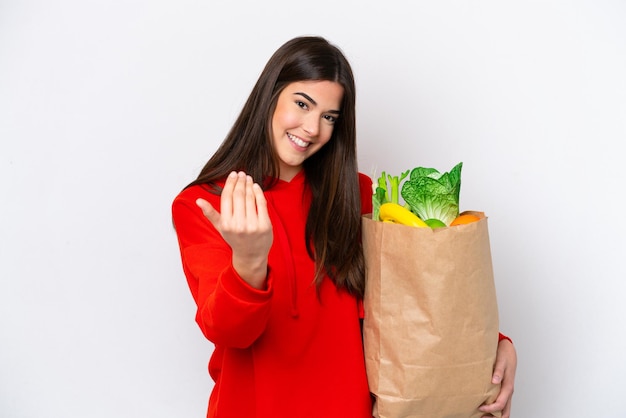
(108, 108)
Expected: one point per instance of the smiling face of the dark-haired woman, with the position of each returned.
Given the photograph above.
(303, 122)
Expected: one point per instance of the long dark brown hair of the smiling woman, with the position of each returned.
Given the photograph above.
(333, 225)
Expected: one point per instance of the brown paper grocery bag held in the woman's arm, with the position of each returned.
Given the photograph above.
(430, 329)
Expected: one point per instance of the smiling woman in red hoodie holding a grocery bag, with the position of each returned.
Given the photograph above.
(269, 239)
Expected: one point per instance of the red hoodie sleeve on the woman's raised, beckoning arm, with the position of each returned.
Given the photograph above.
(230, 313)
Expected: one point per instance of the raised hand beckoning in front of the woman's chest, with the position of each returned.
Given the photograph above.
(244, 223)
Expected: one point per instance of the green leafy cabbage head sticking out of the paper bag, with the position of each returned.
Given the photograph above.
(433, 195)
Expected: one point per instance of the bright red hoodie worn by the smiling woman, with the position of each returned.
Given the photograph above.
(285, 351)
